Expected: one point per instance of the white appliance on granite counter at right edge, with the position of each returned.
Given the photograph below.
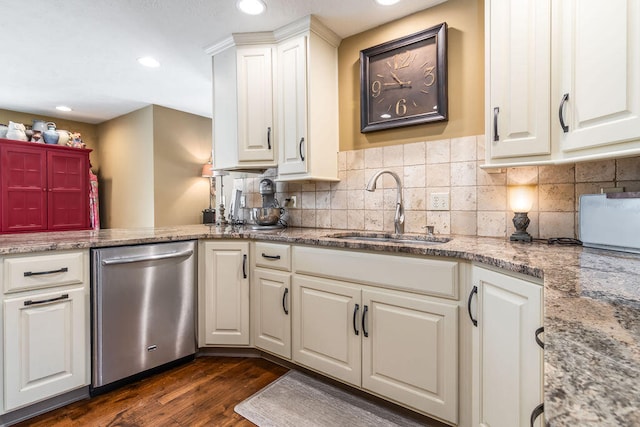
(610, 221)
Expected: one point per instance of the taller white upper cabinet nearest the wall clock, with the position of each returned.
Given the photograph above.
(307, 102)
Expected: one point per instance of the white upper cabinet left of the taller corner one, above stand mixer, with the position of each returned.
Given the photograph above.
(243, 134)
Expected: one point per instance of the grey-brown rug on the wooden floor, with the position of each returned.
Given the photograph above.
(298, 400)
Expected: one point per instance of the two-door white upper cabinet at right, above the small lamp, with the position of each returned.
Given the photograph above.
(563, 80)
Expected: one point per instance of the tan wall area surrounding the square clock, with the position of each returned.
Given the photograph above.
(465, 19)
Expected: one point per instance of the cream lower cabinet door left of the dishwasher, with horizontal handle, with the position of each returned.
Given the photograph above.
(45, 346)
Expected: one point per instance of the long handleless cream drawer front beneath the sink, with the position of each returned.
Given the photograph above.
(427, 276)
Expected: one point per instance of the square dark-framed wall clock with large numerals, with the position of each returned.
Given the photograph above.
(403, 82)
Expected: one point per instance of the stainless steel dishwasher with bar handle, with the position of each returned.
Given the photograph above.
(143, 309)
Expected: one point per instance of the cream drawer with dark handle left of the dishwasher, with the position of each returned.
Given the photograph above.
(41, 271)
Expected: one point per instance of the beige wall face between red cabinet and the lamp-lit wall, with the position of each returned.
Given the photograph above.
(126, 173)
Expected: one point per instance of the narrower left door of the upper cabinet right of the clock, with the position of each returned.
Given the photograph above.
(518, 57)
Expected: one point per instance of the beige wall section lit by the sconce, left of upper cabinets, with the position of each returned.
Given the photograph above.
(181, 145)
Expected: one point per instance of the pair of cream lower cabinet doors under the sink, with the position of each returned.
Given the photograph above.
(398, 345)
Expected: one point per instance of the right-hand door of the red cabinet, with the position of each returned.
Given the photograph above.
(68, 185)
